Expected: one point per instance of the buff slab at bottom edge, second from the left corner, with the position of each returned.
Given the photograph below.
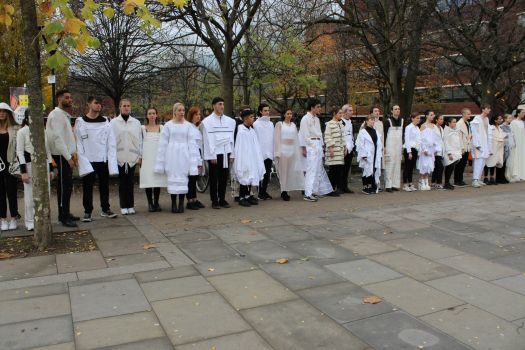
(116, 330)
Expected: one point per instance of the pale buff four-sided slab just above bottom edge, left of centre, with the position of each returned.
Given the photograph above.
(198, 317)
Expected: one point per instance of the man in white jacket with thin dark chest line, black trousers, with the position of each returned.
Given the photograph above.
(217, 133)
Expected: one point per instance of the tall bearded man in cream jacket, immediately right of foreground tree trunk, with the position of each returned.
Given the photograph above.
(63, 148)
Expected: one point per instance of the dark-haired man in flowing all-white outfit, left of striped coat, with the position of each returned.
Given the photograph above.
(316, 181)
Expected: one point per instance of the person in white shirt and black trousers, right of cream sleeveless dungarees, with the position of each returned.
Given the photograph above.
(410, 151)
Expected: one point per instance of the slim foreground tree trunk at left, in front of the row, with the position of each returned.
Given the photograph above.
(31, 33)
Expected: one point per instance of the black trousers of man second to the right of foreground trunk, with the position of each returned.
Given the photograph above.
(101, 171)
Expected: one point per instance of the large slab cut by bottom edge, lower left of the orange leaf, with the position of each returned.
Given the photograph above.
(295, 325)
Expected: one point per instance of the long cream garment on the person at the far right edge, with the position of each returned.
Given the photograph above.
(515, 170)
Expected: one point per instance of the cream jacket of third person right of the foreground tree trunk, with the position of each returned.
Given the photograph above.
(128, 137)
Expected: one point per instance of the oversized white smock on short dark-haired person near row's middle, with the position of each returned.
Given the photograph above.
(248, 166)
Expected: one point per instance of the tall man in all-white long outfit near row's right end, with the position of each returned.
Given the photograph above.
(481, 144)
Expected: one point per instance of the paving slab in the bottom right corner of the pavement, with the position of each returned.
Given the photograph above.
(477, 328)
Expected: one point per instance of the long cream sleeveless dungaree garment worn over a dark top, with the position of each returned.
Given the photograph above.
(393, 152)
